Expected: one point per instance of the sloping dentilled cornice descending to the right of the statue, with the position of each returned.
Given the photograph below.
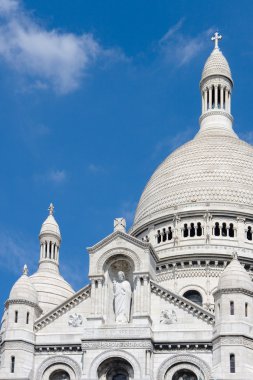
(185, 304)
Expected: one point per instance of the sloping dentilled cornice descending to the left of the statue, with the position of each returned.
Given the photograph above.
(60, 310)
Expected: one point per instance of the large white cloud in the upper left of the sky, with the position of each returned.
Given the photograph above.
(50, 58)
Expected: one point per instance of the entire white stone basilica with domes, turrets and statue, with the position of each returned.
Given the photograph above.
(171, 298)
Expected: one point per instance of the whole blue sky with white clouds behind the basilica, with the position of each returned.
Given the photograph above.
(94, 95)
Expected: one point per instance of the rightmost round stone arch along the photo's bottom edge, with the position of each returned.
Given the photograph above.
(186, 361)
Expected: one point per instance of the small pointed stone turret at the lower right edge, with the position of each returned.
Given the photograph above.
(233, 323)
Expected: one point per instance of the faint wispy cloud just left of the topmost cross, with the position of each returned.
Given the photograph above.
(177, 47)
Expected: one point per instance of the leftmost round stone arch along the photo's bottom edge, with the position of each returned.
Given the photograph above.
(59, 362)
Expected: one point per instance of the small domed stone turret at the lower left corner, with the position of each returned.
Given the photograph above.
(21, 310)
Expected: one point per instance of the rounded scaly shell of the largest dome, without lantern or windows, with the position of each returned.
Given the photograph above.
(214, 167)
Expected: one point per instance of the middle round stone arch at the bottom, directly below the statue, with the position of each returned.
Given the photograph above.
(114, 354)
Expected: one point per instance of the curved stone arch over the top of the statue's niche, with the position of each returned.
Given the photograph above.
(124, 252)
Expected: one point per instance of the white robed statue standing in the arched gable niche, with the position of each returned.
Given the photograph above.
(122, 298)
